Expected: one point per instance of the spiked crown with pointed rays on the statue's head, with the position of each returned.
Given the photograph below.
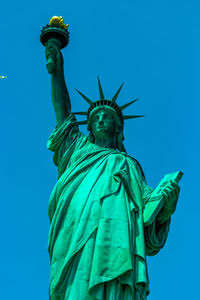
(110, 104)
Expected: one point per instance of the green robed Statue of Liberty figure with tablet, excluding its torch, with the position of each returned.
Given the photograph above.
(104, 217)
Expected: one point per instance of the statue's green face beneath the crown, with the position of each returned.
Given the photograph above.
(103, 124)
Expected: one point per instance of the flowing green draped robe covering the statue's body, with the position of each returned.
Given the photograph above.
(97, 240)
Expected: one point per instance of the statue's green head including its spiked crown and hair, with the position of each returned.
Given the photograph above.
(105, 118)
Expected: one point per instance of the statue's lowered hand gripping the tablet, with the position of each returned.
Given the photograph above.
(171, 193)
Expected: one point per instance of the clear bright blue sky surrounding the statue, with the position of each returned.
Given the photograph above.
(154, 46)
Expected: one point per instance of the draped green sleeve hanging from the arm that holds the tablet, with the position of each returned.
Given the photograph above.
(156, 233)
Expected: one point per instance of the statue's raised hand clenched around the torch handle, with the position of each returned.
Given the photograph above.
(54, 57)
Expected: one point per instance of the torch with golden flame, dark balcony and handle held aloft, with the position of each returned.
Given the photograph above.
(57, 32)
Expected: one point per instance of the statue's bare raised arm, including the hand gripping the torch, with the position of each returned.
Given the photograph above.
(59, 92)
